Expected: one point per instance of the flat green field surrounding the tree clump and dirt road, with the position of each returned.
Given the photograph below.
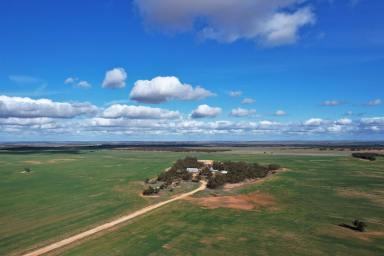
(67, 193)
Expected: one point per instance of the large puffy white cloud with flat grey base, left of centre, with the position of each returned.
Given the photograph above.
(162, 89)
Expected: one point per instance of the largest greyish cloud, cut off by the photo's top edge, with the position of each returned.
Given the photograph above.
(268, 23)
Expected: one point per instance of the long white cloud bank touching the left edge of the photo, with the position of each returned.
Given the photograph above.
(27, 107)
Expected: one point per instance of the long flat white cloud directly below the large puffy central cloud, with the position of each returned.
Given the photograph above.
(139, 112)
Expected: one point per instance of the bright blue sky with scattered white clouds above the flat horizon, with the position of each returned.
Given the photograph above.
(321, 63)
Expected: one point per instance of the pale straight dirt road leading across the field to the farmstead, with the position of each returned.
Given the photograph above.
(111, 224)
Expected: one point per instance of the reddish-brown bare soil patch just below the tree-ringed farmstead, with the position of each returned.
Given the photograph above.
(253, 201)
